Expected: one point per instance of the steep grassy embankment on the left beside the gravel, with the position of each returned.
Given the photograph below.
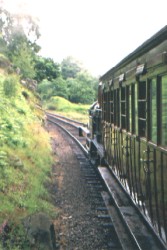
(25, 154)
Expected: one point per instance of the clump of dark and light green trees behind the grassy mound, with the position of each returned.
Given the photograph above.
(79, 88)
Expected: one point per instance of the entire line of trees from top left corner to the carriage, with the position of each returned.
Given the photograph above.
(18, 36)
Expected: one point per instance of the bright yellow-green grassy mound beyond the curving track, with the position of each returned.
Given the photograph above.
(63, 107)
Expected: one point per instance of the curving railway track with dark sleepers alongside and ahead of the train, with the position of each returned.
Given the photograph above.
(128, 229)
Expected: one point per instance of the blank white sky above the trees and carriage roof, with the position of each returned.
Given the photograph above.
(99, 33)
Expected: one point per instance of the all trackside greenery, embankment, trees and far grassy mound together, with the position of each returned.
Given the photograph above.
(30, 84)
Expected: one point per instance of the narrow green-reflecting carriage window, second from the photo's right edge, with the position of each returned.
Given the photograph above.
(153, 110)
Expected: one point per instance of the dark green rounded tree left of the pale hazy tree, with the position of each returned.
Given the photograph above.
(46, 68)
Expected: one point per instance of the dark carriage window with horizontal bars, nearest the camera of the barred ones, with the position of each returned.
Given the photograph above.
(142, 108)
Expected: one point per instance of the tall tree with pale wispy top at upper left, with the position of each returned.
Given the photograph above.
(19, 34)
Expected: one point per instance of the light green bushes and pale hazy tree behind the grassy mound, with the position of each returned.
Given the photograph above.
(74, 83)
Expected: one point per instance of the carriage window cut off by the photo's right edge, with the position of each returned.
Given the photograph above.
(164, 111)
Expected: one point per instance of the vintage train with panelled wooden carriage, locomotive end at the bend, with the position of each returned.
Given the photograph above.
(131, 125)
